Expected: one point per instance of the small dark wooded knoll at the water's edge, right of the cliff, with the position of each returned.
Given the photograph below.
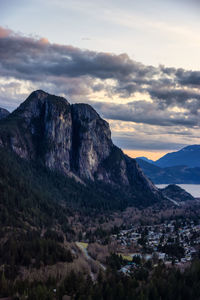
(176, 193)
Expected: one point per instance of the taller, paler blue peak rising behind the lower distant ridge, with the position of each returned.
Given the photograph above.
(188, 156)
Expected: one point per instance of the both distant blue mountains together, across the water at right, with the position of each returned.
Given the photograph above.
(177, 167)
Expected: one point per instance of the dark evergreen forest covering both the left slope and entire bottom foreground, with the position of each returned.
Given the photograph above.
(36, 206)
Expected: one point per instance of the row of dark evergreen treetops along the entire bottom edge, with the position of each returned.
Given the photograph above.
(161, 283)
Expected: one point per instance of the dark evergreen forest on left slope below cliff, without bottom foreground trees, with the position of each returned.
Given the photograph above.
(36, 205)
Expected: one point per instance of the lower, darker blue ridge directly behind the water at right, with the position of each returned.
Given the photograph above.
(170, 175)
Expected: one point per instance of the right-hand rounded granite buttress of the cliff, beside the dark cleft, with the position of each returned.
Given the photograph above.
(91, 140)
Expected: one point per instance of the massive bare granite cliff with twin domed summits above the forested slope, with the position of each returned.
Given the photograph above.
(71, 139)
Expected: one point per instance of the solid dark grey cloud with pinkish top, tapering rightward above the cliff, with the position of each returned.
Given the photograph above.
(32, 59)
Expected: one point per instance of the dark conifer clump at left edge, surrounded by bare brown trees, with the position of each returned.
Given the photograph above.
(30, 250)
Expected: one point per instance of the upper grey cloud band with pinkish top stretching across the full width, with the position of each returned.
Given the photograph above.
(34, 59)
